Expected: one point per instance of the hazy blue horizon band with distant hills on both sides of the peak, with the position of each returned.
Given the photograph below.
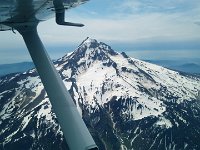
(189, 56)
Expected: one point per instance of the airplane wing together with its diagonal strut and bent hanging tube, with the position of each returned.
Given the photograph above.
(24, 16)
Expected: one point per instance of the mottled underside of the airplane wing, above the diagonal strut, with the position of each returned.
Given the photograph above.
(27, 11)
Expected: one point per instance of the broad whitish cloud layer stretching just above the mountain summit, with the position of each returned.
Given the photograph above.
(132, 28)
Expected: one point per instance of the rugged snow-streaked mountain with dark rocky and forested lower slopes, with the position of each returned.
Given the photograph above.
(126, 103)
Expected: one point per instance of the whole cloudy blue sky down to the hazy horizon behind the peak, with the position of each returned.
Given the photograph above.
(145, 29)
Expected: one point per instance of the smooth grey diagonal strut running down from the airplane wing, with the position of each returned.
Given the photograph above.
(72, 125)
